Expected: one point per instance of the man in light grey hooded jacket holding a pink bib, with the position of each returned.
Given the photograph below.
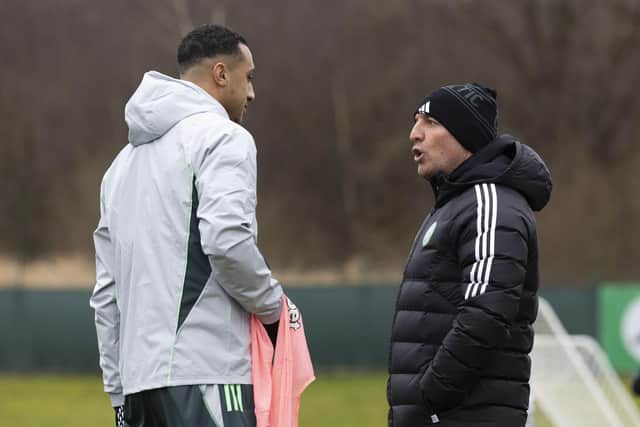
(177, 263)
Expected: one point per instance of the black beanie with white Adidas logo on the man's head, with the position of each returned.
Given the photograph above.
(468, 111)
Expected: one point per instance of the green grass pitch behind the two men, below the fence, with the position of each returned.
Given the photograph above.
(346, 400)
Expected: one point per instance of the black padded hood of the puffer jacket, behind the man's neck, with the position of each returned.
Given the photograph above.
(504, 161)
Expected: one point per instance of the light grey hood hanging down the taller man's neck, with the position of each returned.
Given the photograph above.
(160, 102)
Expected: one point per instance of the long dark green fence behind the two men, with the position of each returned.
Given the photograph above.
(346, 326)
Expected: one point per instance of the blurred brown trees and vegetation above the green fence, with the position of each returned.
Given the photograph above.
(337, 82)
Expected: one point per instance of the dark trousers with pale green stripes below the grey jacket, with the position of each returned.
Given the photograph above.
(227, 405)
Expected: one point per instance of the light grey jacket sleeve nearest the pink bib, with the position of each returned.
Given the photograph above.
(225, 178)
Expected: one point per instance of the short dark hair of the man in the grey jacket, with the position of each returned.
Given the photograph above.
(207, 41)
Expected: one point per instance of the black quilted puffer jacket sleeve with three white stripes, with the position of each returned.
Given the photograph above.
(492, 250)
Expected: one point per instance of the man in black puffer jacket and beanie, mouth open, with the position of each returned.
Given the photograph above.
(462, 331)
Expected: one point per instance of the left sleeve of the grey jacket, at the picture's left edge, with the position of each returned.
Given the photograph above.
(107, 314)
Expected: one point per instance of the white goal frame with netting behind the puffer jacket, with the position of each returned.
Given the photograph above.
(572, 381)
